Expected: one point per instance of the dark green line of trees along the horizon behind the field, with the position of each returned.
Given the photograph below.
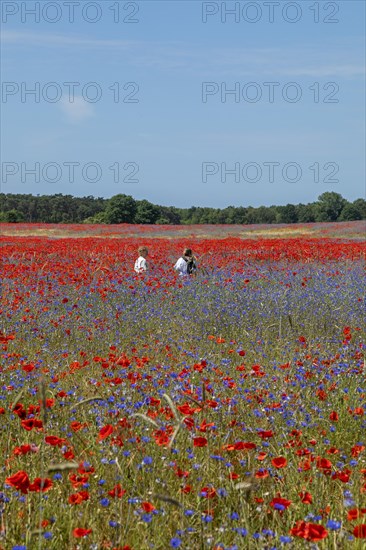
(329, 207)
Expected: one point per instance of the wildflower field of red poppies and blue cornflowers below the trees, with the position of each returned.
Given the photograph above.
(220, 411)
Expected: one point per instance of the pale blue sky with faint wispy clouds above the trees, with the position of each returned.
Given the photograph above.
(176, 133)
